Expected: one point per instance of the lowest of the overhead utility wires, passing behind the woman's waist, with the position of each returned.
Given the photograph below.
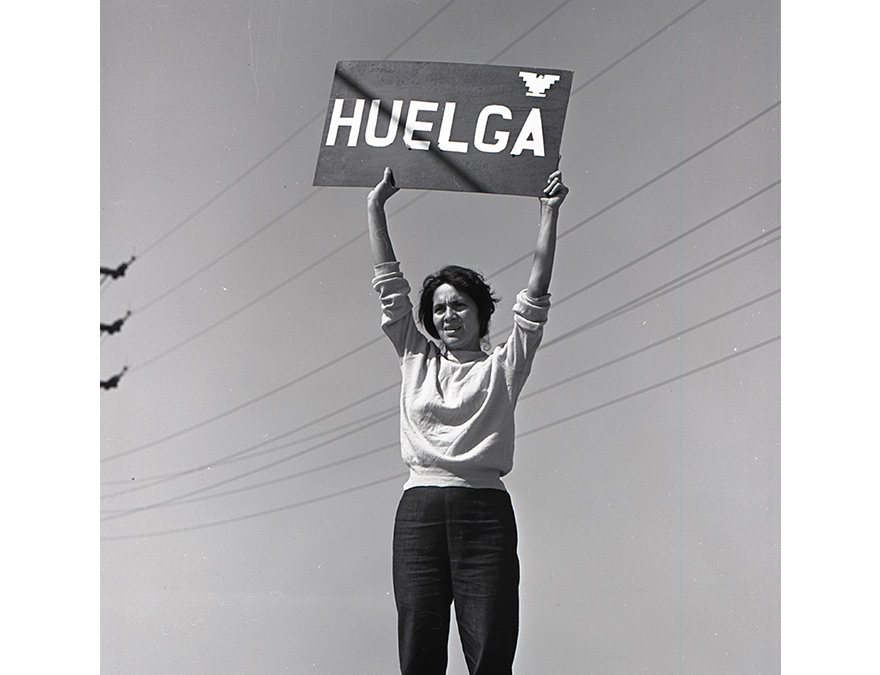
(400, 476)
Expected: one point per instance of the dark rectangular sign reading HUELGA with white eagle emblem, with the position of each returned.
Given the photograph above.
(443, 126)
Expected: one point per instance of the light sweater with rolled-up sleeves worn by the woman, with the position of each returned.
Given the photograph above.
(457, 409)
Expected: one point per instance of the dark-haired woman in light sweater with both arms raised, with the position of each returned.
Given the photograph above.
(455, 535)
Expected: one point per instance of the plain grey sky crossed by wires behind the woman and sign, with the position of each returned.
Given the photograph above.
(249, 469)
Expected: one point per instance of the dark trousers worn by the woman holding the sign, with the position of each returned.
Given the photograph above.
(456, 545)
